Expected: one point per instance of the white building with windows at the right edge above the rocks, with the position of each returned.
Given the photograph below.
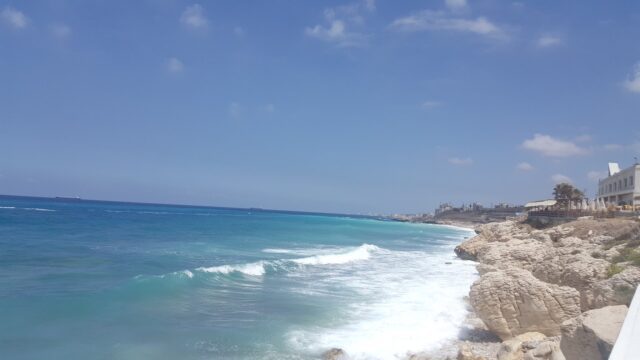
(621, 187)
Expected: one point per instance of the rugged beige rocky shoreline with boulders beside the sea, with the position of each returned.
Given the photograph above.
(555, 293)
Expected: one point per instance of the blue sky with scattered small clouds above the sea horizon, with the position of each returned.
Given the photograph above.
(372, 106)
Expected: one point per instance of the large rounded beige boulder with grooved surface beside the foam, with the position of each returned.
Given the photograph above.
(513, 302)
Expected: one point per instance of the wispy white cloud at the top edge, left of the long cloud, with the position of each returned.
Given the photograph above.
(339, 22)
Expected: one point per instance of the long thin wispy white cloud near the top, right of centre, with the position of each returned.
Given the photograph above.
(429, 20)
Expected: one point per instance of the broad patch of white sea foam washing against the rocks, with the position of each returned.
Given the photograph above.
(407, 302)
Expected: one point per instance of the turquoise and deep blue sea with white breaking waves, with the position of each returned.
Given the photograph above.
(97, 280)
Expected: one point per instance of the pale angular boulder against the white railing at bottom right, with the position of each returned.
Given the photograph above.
(591, 335)
